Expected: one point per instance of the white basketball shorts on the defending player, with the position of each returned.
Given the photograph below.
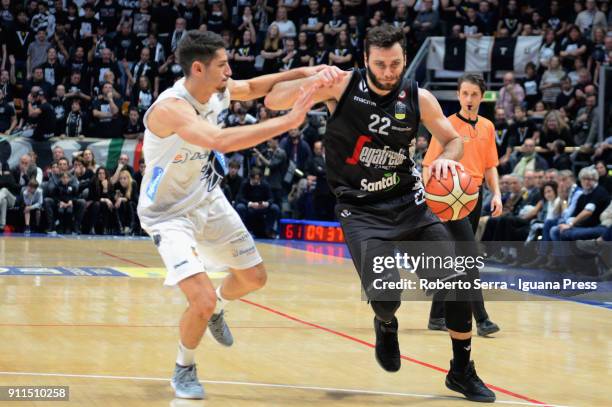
(210, 238)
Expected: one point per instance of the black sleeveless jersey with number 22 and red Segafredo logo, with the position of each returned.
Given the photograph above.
(368, 143)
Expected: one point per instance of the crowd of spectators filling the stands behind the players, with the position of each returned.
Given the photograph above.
(92, 68)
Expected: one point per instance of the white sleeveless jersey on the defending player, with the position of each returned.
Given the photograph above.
(179, 176)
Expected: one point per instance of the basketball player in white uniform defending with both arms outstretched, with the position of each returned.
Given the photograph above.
(181, 207)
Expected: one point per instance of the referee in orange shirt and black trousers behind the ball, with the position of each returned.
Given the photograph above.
(480, 161)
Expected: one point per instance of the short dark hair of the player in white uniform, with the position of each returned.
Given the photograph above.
(198, 46)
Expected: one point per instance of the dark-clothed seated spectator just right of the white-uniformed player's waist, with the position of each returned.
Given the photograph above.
(254, 203)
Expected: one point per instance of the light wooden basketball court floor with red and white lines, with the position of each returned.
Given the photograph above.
(304, 340)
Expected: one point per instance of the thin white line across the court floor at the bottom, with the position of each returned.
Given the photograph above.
(273, 385)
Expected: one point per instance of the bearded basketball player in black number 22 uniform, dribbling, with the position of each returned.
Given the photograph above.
(375, 116)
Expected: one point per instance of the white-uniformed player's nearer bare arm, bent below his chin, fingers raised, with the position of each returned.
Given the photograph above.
(177, 116)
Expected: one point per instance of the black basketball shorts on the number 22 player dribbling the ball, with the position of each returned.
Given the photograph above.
(369, 229)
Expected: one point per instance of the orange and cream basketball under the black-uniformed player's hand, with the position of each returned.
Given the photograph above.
(452, 198)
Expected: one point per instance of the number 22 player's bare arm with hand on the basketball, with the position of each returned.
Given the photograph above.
(442, 129)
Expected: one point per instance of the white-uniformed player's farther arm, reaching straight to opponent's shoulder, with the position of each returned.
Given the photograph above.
(260, 86)
